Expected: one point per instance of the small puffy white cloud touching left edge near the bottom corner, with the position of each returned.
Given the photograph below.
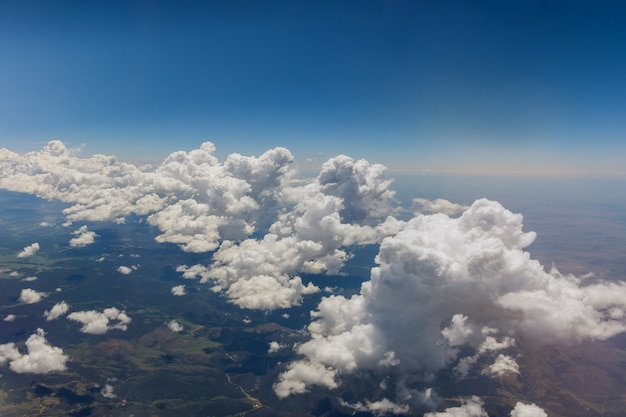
(40, 359)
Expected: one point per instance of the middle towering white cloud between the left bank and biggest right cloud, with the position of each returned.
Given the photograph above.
(334, 211)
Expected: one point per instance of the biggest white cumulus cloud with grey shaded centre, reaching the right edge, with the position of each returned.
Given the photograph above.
(445, 282)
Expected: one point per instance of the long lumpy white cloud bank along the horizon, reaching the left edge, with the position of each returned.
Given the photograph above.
(191, 196)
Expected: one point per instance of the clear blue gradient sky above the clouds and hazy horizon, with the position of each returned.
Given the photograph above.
(449, 85)
